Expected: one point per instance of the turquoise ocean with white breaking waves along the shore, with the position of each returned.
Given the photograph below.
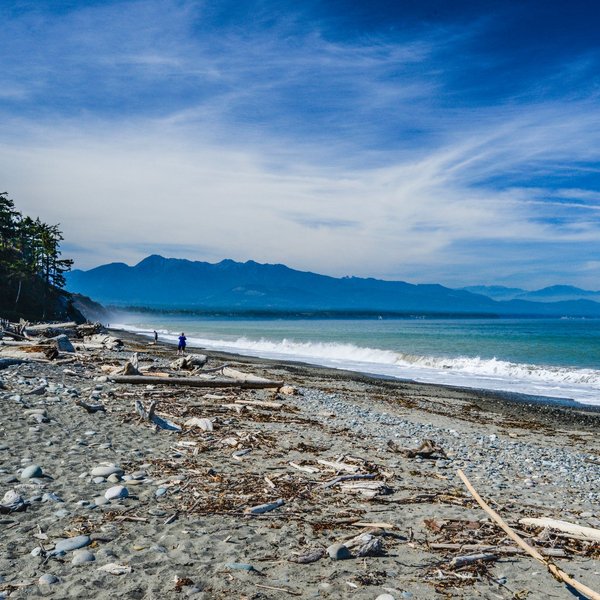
(545, 358)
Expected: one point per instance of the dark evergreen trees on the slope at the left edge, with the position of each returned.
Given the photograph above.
(31, 268)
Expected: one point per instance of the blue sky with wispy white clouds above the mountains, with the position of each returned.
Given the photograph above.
(423, 140)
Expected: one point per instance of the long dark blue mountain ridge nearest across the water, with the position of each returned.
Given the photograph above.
(158, 282)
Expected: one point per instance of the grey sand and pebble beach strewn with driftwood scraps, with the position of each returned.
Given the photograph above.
(333, 485)
